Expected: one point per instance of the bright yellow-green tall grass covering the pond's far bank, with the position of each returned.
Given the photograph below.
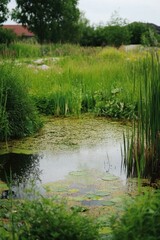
(100, 82)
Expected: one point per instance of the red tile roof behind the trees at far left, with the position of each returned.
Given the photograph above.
(19, 30)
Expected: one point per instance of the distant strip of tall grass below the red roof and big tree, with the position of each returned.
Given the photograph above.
(20, 50)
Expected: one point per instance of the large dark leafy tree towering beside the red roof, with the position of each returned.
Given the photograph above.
(50, 20)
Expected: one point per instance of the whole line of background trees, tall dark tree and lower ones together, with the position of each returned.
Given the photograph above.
(62, 22)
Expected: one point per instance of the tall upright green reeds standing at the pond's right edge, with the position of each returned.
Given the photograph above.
(142, 150)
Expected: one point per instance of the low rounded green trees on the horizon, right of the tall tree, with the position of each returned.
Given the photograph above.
(117, 35)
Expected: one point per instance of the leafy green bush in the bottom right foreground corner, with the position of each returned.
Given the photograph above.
(141, 219)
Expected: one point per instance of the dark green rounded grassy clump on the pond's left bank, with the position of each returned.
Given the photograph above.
(18, 115)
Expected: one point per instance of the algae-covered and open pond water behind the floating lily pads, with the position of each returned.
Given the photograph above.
(65, 145)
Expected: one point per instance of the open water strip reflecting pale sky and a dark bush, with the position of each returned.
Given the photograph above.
(51, 166)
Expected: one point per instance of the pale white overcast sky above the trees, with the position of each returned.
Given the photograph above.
(100, 11)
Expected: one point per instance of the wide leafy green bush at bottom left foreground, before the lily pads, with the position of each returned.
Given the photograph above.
(45, 219)
